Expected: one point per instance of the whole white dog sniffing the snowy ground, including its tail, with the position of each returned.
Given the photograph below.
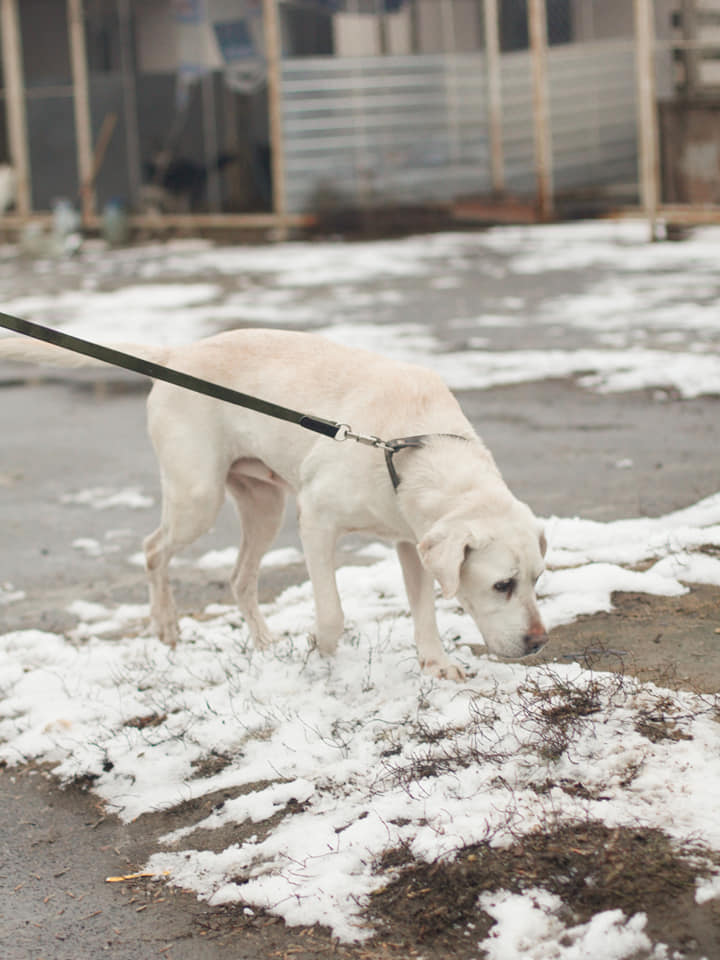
(440, 499)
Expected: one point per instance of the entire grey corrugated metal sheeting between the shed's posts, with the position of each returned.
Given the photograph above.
(413, 129)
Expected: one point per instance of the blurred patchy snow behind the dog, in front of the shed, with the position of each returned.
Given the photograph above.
(648, 310)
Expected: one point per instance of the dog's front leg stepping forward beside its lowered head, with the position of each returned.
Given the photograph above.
(421, 596)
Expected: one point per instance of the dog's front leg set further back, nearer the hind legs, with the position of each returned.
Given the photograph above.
(318, 537)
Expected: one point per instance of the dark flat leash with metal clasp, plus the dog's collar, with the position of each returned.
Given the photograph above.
(148, 368)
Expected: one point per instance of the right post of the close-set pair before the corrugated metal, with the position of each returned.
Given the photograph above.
(537, 23)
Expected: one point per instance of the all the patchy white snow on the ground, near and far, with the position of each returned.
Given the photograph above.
(337, 752)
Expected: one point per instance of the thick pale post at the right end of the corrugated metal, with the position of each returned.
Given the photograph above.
(648, 162)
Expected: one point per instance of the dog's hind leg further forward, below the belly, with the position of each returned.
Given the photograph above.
(261, 507)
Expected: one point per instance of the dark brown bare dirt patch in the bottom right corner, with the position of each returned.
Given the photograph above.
(433, 907)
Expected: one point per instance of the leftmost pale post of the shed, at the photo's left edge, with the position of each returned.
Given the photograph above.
(15, 103)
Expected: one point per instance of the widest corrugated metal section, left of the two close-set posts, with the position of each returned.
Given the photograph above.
(400, 129)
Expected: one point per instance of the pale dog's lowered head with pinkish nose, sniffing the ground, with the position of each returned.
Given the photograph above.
(491, 563)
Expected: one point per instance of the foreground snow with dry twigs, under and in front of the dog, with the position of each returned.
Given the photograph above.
(112, 704)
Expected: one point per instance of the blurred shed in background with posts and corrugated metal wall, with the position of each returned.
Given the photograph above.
(266, 113)
